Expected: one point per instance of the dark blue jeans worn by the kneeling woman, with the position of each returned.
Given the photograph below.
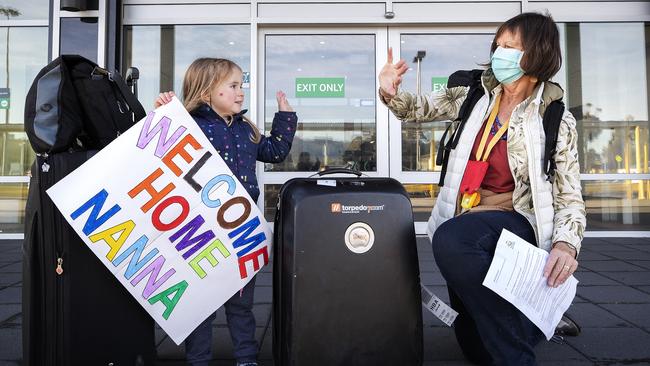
(490, 330)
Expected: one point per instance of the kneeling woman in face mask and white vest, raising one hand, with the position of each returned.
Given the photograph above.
(515, 192)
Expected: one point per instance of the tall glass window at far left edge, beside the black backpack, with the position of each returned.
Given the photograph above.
(24, 51)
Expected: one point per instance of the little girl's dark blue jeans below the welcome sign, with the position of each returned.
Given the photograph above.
(241, 323)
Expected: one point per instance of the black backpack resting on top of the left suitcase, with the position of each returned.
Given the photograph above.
(73, 104)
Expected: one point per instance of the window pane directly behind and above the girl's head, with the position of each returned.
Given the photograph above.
(163, 53)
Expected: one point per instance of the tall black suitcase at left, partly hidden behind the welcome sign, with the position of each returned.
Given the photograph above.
(82, 315)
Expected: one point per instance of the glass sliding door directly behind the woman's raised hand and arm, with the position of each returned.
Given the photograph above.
(417, 143)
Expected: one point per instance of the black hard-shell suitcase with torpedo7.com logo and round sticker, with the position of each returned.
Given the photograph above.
(346, 287)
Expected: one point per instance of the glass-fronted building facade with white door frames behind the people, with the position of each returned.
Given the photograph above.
(326, 55)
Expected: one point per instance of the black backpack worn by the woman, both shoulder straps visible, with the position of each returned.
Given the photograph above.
(472, 78)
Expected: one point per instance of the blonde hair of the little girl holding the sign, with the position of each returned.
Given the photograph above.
(203, 75)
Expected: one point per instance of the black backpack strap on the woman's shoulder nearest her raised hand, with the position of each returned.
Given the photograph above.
(471, 78)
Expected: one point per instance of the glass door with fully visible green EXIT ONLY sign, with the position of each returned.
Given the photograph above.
(330, 78)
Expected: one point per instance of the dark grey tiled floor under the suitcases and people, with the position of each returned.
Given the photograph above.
(612, 306)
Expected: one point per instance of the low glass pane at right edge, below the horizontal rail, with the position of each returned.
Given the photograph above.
(617, 205)
